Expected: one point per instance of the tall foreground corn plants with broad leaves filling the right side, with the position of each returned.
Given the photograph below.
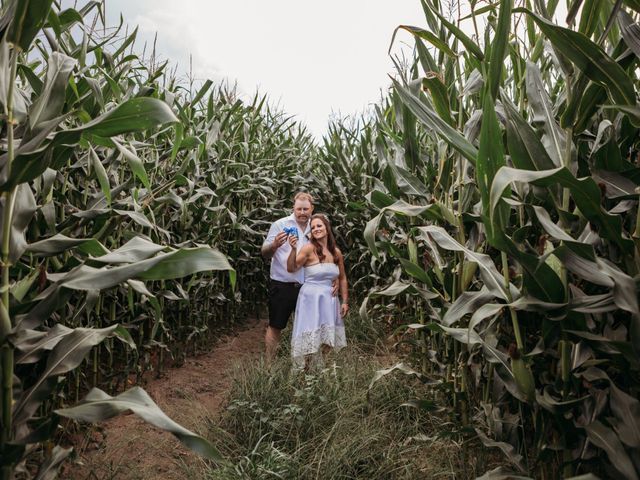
(514, 219)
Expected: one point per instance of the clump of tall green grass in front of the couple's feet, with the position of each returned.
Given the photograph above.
(329, 423)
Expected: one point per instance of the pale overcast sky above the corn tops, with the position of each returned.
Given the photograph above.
(314, 59)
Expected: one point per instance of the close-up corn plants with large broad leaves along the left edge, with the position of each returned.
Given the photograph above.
(55, 126)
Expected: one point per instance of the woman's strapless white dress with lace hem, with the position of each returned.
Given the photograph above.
(317, 319)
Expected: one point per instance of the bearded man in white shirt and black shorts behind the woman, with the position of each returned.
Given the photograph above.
(284, 286)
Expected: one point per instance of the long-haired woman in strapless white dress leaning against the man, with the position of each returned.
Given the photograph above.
(318, 319)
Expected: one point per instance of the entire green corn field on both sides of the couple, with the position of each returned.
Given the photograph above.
(488, 211)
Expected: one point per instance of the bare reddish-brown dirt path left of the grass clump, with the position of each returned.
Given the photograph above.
(127, 448)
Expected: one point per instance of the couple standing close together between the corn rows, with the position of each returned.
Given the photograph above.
(307, 271)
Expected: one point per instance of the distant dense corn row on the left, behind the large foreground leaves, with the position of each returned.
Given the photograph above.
(216, 176)
